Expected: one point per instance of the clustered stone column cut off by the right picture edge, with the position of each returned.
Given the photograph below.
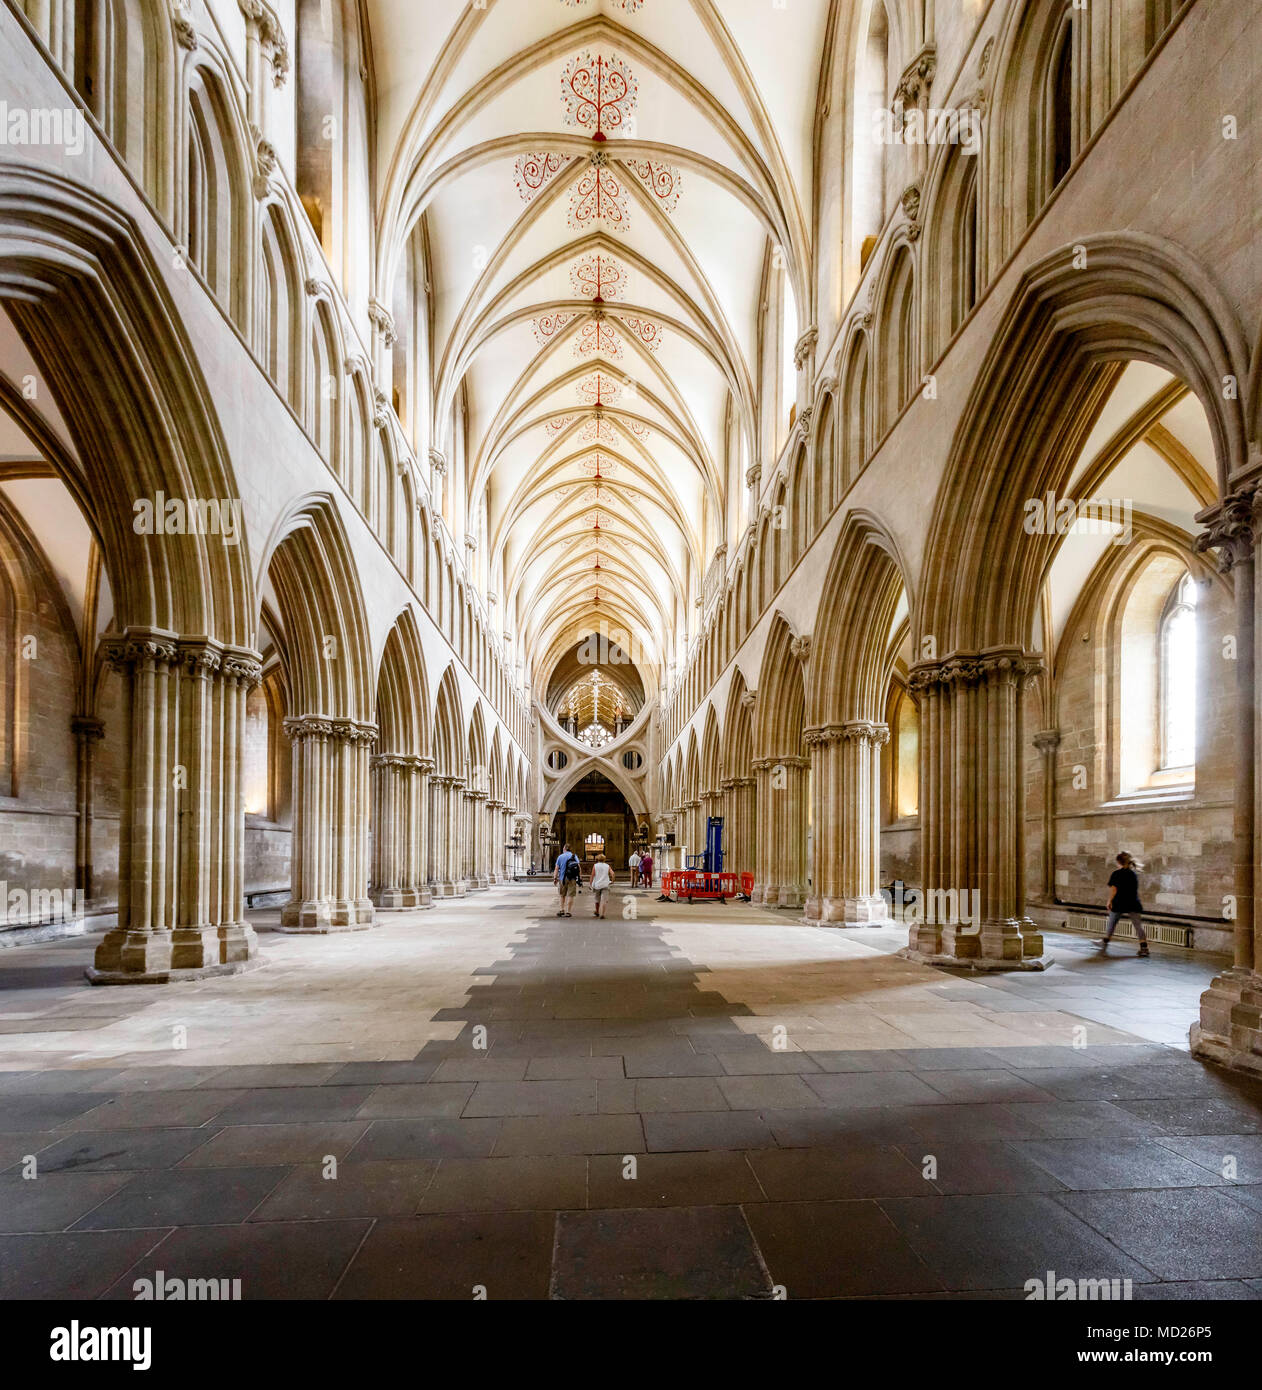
(1231, 1025)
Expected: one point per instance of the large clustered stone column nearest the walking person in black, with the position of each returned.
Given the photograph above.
(972, 814)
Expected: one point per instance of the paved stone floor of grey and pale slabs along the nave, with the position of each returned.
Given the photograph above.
(686, 1102)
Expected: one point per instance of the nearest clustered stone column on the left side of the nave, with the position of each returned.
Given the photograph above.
(181, 846)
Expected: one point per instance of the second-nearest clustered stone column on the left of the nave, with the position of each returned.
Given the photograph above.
(330, 858)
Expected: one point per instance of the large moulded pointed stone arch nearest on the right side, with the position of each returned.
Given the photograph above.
(1115, 298)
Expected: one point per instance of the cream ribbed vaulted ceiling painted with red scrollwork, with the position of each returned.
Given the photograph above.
(600, 187)
